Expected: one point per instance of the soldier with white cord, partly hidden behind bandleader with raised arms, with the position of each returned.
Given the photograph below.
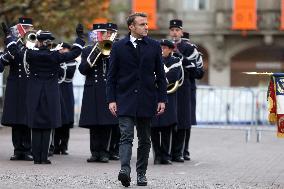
(66, 74)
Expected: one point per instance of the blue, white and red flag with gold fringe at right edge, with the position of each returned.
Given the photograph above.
(276, 102)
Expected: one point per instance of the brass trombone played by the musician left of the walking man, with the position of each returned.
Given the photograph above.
(101, 47)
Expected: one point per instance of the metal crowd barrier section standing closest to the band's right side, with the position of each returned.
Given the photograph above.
(226, 108)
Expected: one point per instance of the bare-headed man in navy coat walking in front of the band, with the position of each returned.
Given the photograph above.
(136, 91)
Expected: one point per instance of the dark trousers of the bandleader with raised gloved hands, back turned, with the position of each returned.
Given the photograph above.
(40, 144)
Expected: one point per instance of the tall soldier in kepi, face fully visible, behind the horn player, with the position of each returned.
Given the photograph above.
(188, 53)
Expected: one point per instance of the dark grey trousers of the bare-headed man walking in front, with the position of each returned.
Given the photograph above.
(126, 125)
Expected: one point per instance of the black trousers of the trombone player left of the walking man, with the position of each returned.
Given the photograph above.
(100, 140)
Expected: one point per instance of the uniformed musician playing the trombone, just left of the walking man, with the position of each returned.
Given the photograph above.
(94, 111)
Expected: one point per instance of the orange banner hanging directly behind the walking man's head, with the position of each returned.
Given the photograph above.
(149, 7)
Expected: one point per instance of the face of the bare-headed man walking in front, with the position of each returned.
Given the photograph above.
(139, 28)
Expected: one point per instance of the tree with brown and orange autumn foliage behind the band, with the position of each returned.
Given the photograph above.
(59, 17)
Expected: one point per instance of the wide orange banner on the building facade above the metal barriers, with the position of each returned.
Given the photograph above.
(244, 15)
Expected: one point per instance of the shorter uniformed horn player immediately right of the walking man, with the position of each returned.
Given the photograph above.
(161, 130)
